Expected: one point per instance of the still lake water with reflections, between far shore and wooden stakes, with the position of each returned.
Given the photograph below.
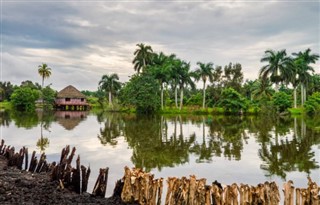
(228, 149)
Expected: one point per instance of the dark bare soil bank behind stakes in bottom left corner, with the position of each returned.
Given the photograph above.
(21, 187)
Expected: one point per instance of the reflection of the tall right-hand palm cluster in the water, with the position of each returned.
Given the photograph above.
(285, 156)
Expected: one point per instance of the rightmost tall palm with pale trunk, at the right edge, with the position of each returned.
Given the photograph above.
(303, 61)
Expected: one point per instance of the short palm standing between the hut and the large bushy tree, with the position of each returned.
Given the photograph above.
(110, 84)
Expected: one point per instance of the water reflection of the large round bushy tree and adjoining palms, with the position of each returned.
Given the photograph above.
(152, 148)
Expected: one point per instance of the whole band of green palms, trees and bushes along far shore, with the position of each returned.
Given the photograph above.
(167, 83)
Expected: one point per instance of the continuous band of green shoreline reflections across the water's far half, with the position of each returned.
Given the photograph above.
(281, 144)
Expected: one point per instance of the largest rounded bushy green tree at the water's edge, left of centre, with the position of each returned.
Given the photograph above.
(142, 92)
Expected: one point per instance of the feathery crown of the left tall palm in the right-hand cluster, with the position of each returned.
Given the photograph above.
(278, 67)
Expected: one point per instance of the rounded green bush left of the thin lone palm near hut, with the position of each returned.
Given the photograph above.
(24, 98)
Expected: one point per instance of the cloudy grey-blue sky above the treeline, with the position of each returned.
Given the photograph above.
(83, 40)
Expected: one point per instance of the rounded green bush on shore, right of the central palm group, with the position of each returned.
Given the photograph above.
(232, 101)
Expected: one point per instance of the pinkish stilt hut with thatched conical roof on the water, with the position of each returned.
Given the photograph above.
(71, 99)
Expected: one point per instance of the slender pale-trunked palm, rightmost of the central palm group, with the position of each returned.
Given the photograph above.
(204, 72)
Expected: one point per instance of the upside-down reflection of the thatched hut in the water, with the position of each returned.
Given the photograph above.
(70, 119)
